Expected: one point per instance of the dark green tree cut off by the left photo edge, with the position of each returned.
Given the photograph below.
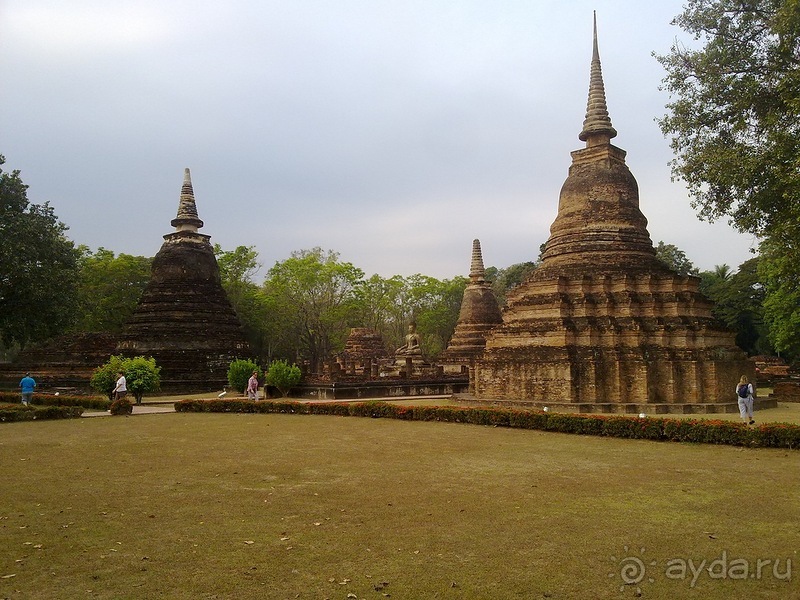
(39, 267)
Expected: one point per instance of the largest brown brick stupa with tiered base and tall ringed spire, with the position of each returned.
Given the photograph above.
(602, 325)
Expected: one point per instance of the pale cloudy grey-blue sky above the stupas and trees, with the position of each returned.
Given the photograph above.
(393, 133)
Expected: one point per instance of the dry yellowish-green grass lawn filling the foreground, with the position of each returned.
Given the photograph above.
(194, 506)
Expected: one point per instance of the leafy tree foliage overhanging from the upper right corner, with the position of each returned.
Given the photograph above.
(734, 114)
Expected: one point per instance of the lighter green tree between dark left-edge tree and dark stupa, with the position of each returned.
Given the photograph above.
(109, 288)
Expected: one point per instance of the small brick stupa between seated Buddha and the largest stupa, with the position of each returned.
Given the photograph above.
(479, 314)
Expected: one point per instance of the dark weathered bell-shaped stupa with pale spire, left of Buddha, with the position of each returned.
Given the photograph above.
(184, 319)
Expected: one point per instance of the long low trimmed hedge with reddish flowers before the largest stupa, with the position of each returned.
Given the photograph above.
(768, 435)
